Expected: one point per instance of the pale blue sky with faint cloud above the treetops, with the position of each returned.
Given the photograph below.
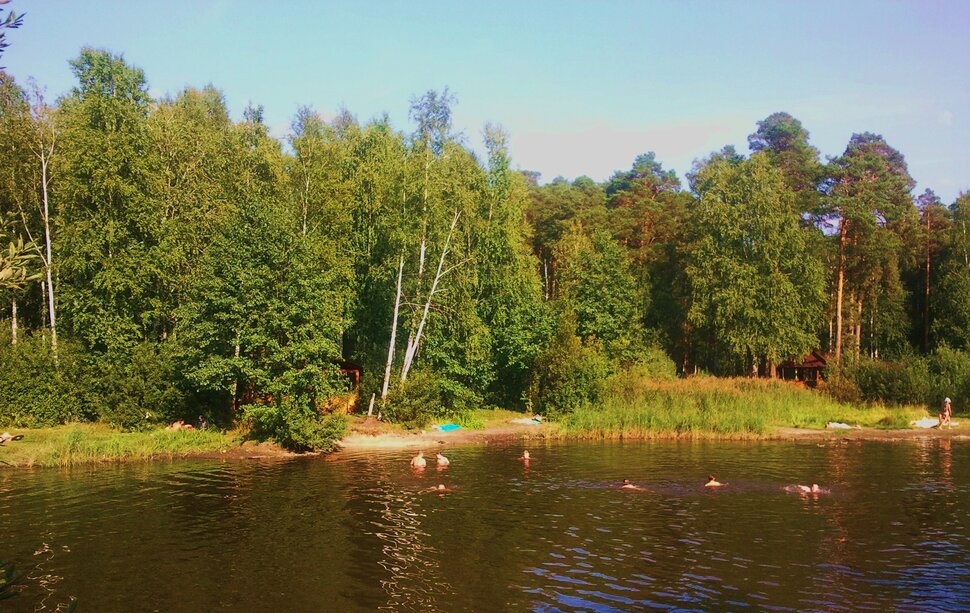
(581, 87)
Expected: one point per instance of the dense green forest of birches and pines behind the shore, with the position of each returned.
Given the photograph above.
(162, 260)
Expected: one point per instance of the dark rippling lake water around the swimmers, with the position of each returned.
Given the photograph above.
(355, 531)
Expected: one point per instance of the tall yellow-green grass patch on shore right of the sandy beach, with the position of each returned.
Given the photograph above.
(704, 407)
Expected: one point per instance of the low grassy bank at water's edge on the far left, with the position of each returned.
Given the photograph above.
(86, 443)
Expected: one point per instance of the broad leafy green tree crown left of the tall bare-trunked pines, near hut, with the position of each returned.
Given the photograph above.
(756, 285)
